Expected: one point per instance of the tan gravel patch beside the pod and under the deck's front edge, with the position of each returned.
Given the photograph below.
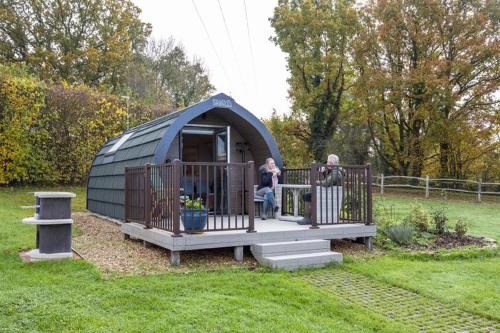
(101, 242)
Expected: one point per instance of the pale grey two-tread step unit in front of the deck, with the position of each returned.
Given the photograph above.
(295, 254)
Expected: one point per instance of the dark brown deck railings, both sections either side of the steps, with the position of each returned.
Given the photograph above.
(154, 194)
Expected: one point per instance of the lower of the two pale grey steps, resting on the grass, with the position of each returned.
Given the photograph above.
(303, 260)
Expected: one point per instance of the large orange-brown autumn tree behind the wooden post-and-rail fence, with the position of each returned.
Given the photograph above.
(427, 75)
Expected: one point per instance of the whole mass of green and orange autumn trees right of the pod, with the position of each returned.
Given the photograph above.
(420, 79)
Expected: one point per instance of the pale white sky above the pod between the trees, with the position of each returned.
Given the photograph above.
(228, 56)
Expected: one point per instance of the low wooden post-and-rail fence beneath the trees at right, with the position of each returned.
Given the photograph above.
(427, 184)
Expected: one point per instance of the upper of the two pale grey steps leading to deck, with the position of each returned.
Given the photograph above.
(287, 248)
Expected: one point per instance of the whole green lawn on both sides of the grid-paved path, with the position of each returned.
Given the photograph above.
(73, 296)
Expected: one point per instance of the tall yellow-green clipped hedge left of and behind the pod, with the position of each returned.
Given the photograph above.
(50, 133)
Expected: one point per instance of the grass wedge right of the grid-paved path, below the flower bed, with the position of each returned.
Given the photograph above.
(471, 284)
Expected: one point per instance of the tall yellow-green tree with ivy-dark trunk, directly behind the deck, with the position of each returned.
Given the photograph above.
(316, 36)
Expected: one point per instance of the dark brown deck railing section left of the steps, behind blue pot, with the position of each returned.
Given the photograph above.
(154, 194)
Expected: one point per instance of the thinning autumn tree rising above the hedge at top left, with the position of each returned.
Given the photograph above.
(78, 41)
